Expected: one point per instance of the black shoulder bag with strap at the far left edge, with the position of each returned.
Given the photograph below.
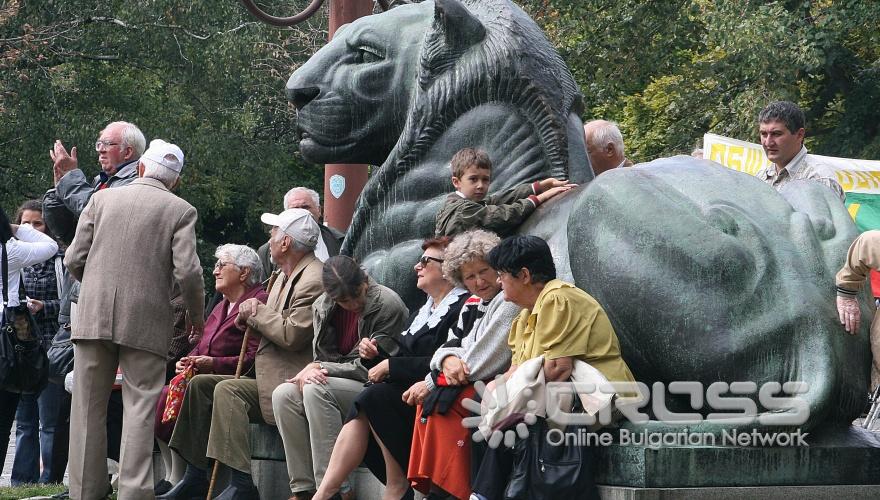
(24, 366)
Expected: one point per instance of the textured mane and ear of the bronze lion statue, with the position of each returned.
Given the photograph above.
(479, 52)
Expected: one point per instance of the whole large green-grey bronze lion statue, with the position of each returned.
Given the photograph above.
(707, 274)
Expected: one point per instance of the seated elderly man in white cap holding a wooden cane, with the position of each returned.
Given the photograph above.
(213, 421)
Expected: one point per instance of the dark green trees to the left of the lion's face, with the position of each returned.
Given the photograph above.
(204, 75)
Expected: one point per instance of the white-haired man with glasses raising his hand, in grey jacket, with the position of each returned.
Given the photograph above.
(119, 147)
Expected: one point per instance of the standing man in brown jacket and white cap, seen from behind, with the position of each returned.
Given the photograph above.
(131, 244)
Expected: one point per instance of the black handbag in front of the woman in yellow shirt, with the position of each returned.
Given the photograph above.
(542, 470)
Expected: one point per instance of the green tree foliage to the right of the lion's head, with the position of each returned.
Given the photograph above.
(670, 71)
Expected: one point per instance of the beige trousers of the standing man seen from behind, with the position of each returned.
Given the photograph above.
(143, 375)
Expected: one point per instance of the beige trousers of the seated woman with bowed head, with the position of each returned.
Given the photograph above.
(309, 422)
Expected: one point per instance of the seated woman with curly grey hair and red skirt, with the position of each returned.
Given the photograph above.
(476, 350)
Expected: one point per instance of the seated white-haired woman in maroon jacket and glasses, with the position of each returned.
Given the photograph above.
(237, 277)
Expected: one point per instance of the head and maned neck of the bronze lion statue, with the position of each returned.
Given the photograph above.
(410, 87)
